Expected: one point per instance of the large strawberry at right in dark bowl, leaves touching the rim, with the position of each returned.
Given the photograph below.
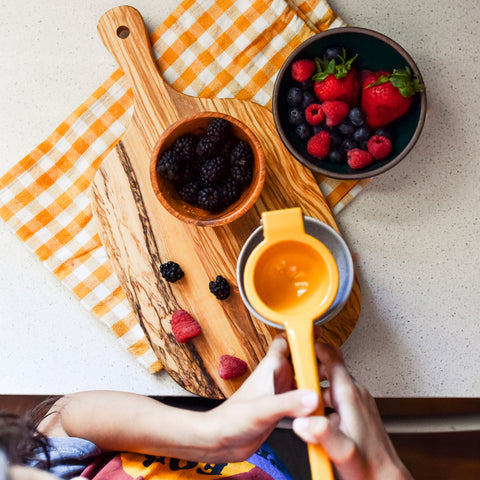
(388, 96)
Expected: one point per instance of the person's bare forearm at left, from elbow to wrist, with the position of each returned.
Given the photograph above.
(127, 422)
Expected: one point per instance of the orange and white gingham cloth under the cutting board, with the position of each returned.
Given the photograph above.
(224, 48)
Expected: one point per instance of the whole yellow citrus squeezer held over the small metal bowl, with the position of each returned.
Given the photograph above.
(291, 279)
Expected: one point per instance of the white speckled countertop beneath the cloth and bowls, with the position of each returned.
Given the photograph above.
(415, 229)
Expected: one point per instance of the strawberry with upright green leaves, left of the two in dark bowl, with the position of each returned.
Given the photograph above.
(337, 80)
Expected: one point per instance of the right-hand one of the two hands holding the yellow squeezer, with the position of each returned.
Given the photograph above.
(353, 437)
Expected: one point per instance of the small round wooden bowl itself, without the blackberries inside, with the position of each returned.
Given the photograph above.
(165, 190)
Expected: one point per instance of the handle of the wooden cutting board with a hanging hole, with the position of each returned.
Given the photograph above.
(123, 33)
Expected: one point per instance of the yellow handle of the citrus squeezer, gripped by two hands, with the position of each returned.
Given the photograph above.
(301, 341)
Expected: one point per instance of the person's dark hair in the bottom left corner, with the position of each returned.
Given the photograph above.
(19, 438)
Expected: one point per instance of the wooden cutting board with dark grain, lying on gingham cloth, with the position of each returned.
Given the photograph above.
(139, 234)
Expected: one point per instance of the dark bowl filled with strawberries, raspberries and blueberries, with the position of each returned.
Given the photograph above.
(349, 103)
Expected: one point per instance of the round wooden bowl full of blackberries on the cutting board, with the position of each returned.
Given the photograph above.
(207, 169)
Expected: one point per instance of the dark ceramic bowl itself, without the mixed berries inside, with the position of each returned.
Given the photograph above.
(375, 52)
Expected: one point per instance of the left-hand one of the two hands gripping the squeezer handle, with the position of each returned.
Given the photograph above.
(252, 412)
